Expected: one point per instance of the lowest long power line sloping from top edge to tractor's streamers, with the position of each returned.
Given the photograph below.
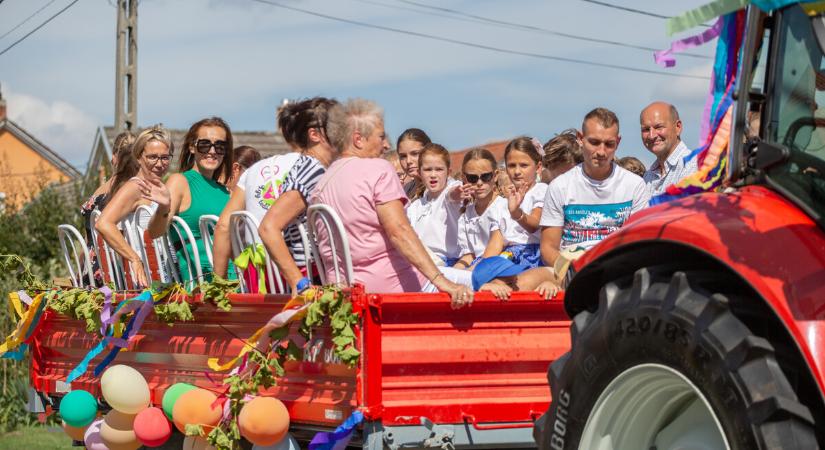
(479, 46)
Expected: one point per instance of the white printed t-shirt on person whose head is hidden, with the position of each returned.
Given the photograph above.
(262, 182)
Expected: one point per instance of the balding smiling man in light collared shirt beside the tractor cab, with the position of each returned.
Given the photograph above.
(661, 135)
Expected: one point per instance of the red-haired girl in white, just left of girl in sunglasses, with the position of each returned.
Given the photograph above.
(434, 216)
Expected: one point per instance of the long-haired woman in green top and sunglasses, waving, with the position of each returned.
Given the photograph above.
(205, 159)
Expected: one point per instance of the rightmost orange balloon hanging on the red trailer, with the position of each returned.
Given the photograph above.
(264, 421)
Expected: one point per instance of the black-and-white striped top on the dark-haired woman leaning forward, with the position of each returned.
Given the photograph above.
(302, 178)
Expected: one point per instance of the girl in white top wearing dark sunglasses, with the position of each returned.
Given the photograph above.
(487, 208)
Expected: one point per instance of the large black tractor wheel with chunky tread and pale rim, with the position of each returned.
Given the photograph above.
(663, 365)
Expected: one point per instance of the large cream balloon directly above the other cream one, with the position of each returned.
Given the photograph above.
(124, 389)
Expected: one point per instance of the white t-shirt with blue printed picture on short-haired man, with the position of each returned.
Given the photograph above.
(589, 210)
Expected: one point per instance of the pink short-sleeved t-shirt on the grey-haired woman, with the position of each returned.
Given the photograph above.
(353, 187)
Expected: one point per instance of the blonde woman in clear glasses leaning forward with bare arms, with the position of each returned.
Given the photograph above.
(149, 158)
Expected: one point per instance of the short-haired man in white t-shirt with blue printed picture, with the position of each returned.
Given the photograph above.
(590, 201)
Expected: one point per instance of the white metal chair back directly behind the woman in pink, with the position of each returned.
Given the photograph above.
(321, 214)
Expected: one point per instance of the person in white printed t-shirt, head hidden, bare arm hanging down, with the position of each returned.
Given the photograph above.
(257, 189)
